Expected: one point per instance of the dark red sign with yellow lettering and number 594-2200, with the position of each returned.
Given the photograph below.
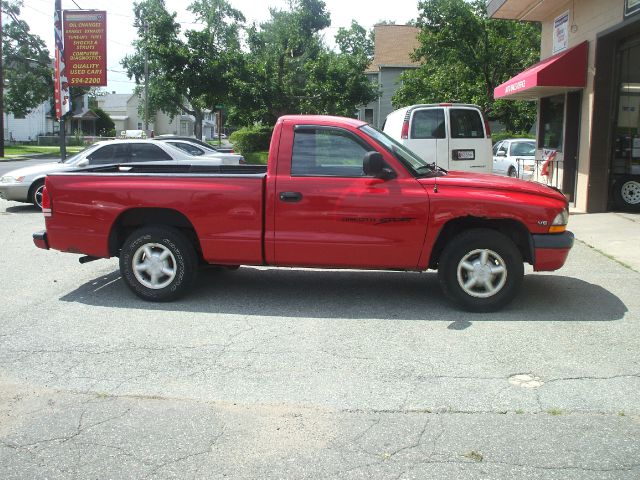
(85, 47)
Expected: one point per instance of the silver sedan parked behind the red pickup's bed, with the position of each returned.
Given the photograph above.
(26, 184)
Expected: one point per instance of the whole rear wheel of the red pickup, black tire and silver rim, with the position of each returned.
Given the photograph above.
(153, 283)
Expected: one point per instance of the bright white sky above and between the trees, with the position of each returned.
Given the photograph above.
(120, 32)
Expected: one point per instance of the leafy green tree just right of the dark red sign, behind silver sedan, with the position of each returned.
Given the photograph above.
(189, 75)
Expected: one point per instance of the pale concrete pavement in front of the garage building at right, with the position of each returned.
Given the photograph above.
(615, 234)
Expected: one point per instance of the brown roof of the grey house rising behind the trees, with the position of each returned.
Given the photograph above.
(393, 46)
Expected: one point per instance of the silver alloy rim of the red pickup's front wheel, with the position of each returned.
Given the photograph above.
(482, 273)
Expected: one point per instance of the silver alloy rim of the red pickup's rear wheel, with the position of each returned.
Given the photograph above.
(154, 266)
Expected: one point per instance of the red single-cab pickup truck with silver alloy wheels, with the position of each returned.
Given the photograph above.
(336, 193)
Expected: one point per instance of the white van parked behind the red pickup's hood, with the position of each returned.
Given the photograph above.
(454, 135)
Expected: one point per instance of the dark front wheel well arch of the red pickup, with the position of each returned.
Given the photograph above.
(513, 229)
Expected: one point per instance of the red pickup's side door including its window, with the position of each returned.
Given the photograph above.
(328, 213)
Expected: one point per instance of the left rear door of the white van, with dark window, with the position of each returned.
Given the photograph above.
(427, 135)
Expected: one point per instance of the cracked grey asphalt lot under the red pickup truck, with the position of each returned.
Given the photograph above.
(286, 373)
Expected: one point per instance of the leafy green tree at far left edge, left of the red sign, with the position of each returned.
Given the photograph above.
(27, 65)
